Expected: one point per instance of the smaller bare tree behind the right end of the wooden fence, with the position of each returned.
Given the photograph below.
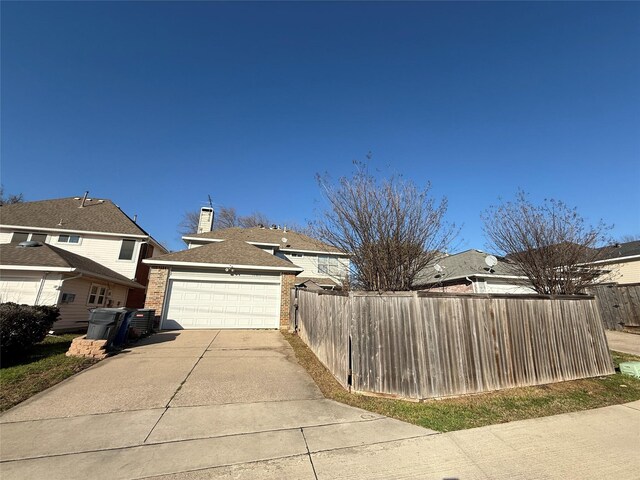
(550, 243)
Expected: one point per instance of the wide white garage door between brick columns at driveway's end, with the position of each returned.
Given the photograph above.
(222, 304)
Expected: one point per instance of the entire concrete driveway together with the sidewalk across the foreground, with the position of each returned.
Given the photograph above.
(235, 404)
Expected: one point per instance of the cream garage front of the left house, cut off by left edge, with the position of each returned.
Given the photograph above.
(29, 287)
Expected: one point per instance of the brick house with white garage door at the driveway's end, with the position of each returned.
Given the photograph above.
(239, 277)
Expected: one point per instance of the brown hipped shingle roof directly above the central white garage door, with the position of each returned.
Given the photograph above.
(227, 252)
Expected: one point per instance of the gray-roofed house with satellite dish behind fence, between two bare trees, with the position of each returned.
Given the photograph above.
(469, 272)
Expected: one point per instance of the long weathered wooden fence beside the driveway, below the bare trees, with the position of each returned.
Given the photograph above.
(420, 346)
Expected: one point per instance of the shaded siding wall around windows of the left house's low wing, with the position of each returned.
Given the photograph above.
(75, 315)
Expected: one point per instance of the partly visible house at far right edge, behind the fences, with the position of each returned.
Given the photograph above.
(622, 261)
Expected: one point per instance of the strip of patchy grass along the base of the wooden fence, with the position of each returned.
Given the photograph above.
(483, 409)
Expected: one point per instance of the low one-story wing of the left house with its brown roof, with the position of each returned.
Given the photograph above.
(35, 273)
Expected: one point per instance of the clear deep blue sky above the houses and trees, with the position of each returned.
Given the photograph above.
(157, 105)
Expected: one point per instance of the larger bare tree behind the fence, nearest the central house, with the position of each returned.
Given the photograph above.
(392, 228)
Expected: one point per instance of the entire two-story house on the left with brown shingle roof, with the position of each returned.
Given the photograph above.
(78, 253)
